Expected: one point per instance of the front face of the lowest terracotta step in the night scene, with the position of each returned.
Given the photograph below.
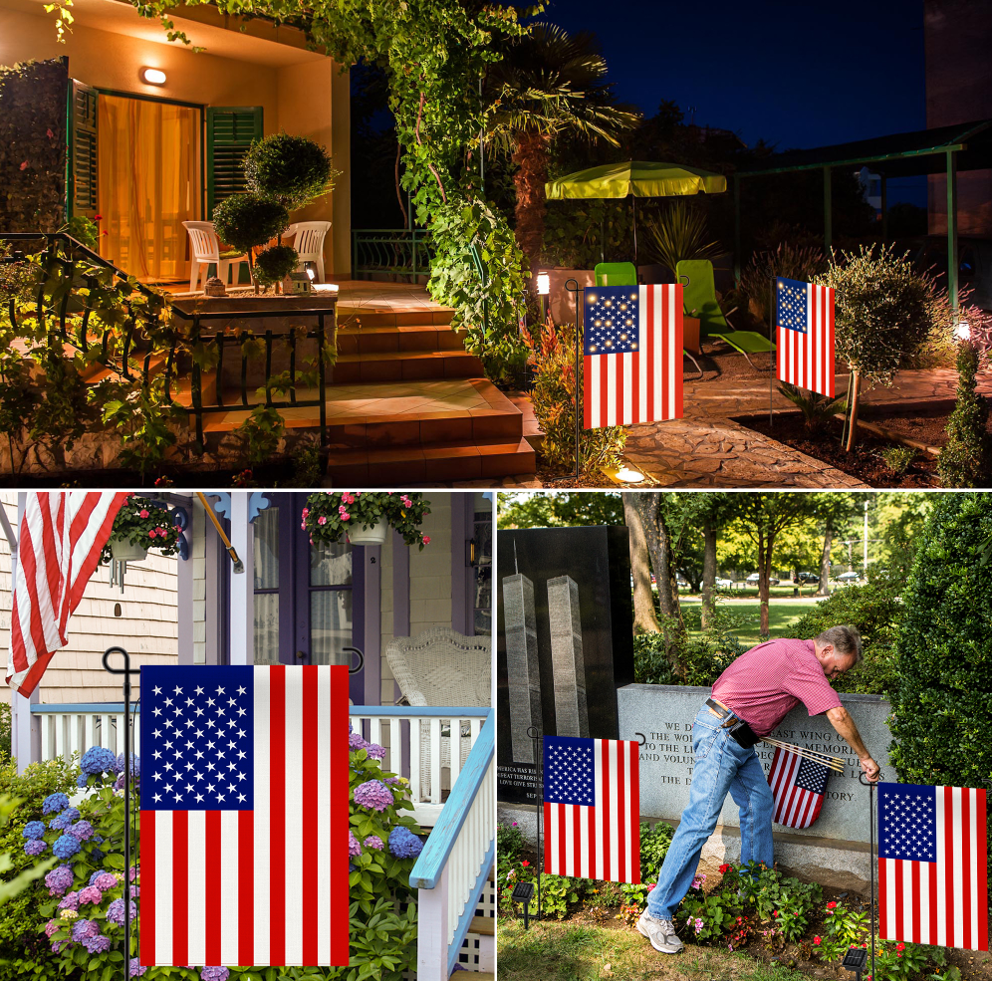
(409, 466)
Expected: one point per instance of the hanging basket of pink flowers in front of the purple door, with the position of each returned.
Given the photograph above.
(365, 519)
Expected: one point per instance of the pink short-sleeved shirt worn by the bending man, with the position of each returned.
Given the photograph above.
(763, 685)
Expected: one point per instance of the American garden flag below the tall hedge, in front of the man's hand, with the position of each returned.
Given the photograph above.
(932, 865)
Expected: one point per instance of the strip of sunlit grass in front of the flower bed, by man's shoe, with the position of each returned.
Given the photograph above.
(551, 951)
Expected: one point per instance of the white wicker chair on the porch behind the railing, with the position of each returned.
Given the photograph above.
(442, 667)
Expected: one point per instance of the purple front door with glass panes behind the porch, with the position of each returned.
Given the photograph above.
(309, 599)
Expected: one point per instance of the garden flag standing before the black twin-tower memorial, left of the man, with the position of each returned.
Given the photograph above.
(592, 810)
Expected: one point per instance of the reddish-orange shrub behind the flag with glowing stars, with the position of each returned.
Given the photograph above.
(553, 396)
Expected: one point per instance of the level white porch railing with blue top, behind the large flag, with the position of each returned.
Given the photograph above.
(417, 740)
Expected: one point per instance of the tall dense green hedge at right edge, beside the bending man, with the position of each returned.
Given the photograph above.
(942, 705)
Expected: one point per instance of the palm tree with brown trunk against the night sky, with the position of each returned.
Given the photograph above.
(548, 84)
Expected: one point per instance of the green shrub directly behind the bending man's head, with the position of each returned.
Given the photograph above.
(875, 610)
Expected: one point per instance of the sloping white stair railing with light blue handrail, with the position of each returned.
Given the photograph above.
(454, 865)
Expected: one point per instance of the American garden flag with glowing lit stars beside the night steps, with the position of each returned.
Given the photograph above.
(633, 355)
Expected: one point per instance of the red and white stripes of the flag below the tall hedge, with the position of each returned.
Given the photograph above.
(944, 902)
